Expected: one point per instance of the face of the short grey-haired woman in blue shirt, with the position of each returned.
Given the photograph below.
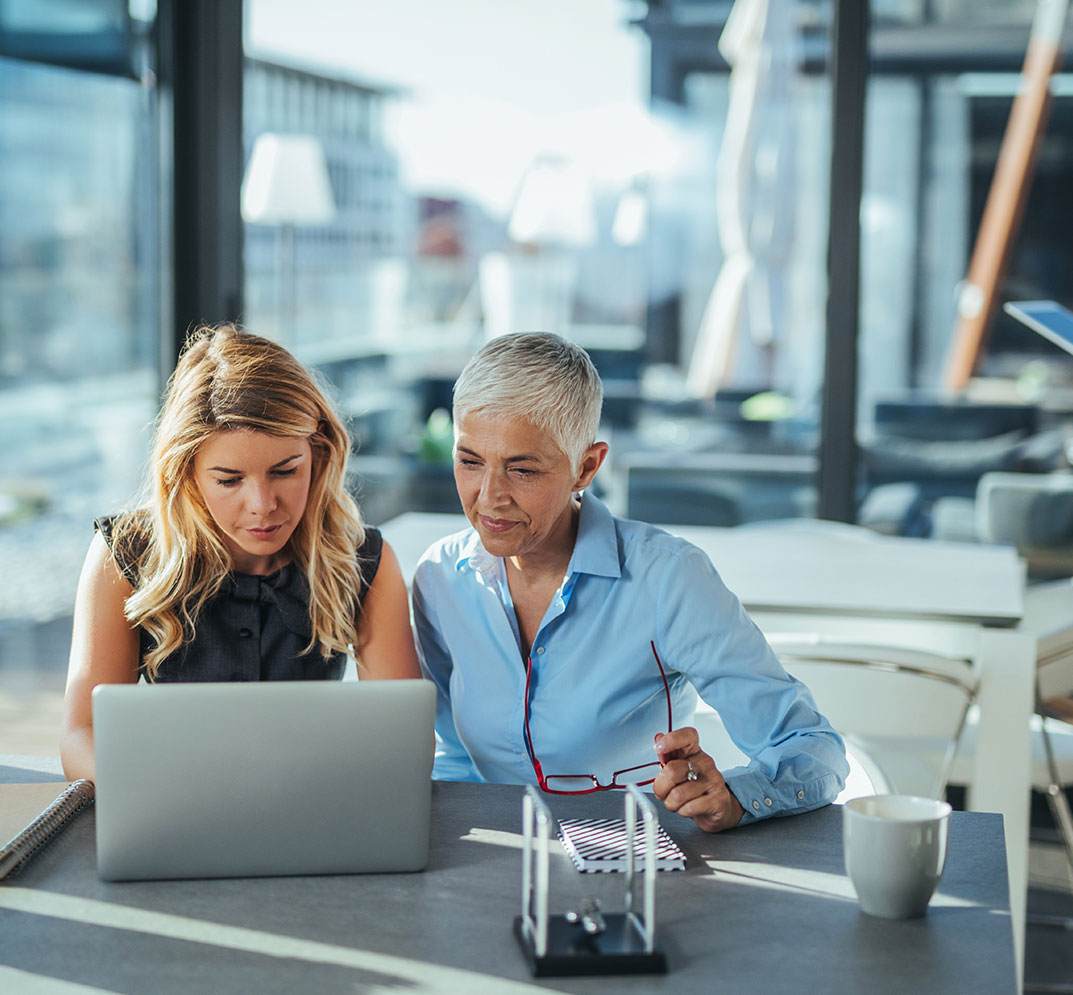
(517, 486)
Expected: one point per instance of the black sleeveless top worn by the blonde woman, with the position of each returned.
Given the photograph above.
(257, 628)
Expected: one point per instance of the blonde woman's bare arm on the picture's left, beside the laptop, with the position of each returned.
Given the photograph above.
(105, 650)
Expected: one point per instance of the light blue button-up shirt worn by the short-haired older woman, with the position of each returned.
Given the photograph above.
(597, 699)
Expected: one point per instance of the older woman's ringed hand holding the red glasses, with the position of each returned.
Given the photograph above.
(690, 783)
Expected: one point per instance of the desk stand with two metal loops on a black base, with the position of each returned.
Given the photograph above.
(584, 941)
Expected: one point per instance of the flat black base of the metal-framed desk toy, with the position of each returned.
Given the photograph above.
(619, 950)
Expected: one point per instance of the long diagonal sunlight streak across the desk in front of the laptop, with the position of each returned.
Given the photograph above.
(421, 976)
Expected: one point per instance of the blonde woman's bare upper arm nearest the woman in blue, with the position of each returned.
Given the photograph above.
(387, 645)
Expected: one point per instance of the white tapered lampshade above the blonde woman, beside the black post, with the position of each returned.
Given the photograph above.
(287, 182)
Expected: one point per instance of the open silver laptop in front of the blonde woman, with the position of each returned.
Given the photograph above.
(204, 781)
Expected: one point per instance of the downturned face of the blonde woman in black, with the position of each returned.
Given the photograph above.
(256, 487)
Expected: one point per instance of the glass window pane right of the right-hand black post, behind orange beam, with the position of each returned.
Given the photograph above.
(935, 129)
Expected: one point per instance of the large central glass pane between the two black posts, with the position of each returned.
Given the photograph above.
(487, 194)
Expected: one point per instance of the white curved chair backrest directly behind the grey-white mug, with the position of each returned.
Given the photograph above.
(904, 699)
